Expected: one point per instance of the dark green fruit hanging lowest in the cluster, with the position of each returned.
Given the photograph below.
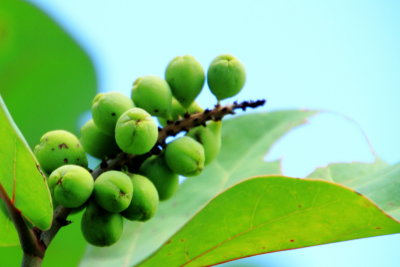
(100, 227)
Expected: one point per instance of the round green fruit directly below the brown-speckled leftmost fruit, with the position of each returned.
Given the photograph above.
(70, 185)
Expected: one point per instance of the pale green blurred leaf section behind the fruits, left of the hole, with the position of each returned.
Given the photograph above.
(245, 142)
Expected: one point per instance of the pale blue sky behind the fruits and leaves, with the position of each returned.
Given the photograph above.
(342, 56)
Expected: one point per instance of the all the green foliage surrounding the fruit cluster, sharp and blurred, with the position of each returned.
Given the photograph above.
(239, 206)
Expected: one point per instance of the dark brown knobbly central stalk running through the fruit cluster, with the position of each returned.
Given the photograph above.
(123, 159)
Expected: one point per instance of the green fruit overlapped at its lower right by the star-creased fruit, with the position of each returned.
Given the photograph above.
(107, 108)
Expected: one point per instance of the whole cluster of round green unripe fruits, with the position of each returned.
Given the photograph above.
(121, 124)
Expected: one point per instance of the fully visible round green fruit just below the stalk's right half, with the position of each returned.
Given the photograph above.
(185, 156)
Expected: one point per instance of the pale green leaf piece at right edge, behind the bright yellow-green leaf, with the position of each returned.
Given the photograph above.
(377, 181)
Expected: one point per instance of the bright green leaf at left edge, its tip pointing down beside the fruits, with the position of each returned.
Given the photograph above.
(21, 178)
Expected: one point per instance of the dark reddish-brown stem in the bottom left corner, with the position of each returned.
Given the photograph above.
(32, 248)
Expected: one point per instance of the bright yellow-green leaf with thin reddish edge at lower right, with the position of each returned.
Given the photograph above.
(268, 214)
